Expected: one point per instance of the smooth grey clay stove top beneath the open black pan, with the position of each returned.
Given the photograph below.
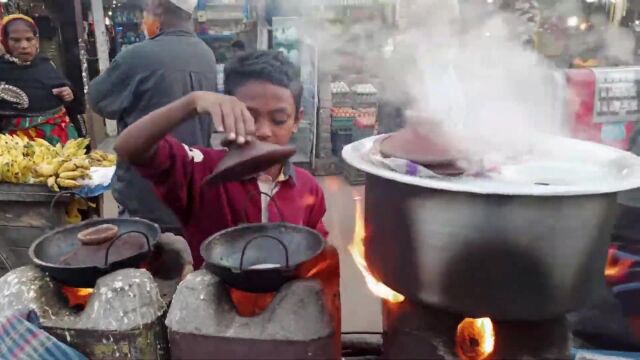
(202, 306)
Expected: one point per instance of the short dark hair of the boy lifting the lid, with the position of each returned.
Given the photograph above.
(270, 66)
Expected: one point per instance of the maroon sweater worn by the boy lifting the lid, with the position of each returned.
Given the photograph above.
(177, 173)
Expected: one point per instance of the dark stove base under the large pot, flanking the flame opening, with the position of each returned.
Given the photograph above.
(421, 332)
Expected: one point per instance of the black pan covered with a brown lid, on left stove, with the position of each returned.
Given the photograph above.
(48, 250)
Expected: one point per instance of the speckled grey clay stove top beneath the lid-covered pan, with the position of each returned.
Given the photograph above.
(123, 300)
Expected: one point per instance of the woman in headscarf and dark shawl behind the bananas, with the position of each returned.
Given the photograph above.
(32, 91)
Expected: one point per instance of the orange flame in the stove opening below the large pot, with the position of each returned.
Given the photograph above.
(475, 339)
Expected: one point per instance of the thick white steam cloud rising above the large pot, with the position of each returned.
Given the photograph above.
(463, 65)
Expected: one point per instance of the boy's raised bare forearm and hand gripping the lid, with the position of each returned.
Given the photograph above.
(137, 142)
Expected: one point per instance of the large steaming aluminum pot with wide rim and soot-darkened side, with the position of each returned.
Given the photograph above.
(512, 256)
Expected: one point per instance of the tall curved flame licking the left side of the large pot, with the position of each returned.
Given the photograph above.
(357, 251)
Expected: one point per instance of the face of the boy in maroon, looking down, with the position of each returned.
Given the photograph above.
(273, 109)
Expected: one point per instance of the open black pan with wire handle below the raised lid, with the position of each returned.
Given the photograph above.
(260, 258)
